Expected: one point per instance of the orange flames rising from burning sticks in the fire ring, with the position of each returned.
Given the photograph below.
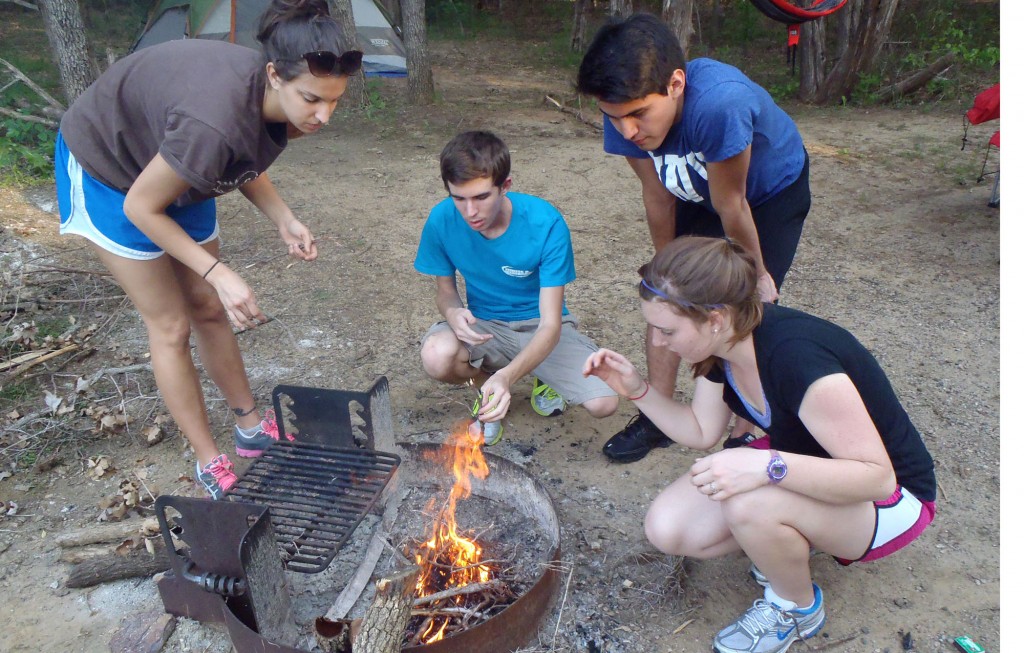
(447, 558)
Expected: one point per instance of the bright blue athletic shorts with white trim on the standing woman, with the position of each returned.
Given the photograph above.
(96, 211)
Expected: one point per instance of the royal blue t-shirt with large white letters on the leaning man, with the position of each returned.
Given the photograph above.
(723, 113)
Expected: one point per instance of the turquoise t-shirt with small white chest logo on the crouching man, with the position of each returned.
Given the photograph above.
(504, 276)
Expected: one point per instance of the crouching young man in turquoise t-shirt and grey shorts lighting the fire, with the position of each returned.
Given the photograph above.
(516, 255)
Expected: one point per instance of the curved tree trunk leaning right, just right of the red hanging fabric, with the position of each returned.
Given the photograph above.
(870, 25)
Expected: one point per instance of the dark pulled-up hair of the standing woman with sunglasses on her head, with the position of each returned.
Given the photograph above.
(289, 29)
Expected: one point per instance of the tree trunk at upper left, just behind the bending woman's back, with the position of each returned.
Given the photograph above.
(66, 32)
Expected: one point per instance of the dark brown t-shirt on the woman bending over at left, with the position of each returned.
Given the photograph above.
(197, 103)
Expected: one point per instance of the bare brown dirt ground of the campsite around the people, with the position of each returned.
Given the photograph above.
(898, 248)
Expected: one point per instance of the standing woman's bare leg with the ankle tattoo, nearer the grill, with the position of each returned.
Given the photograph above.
(216, 341)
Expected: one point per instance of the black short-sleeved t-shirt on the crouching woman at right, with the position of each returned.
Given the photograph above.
(793, 352)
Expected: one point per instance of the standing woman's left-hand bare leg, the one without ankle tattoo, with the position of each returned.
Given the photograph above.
(154, 290)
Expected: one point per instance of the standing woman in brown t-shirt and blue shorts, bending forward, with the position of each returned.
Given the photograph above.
(140, 159)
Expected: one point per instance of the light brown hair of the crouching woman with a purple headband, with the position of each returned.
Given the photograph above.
(697, 276)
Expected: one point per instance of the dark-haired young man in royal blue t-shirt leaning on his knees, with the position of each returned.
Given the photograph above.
(715, 157)
